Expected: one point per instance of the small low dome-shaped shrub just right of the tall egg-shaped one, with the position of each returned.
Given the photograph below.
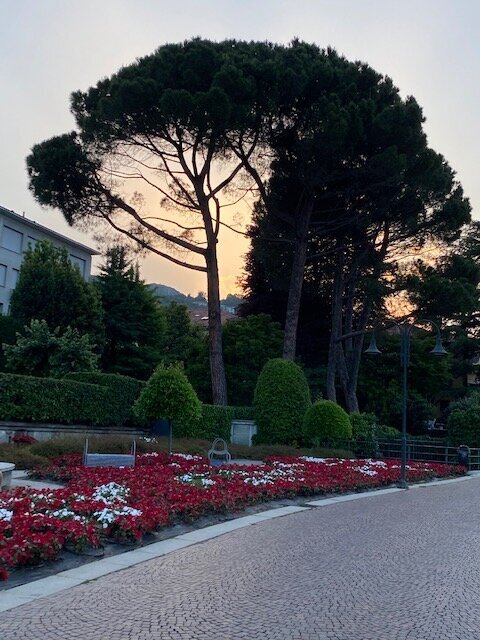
(325, 421)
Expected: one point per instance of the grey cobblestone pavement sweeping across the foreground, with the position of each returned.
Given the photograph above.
(402, 566)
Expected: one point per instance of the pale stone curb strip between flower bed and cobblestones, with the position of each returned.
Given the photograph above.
(26, 593)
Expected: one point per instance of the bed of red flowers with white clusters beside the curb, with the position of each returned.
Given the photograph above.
(125, 504)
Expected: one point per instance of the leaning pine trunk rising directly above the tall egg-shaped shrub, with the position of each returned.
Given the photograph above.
(296, 281)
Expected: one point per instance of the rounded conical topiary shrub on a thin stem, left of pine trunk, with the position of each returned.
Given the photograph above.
(168, 394)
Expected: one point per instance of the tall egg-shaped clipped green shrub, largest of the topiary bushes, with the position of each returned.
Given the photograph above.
(280, 401)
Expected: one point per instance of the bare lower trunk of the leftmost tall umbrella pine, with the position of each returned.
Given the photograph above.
(217, 366)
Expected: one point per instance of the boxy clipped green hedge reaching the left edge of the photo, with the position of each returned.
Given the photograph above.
(29, 399)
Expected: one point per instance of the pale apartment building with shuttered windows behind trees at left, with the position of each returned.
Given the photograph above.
(17, 233)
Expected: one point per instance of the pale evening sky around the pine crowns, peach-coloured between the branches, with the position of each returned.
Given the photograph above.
(49, 48)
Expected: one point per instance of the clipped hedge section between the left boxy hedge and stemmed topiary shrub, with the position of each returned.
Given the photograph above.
(122, 393)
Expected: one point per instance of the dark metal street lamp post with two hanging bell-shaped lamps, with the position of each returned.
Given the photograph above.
(405, 341)
